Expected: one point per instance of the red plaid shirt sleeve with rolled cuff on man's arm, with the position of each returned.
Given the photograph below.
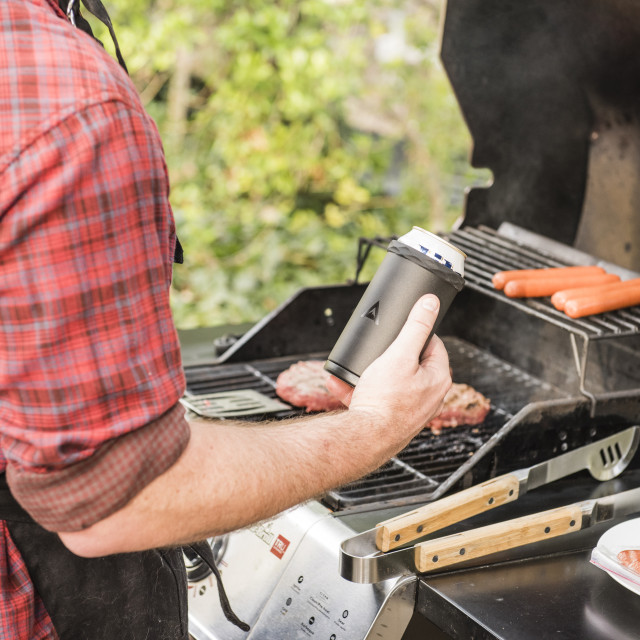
(91, 372)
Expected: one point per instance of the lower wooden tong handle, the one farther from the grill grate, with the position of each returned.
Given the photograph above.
(443, 552)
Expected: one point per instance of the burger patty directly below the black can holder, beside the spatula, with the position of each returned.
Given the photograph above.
(304, 384)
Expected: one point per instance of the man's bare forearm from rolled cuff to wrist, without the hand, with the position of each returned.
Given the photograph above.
(232, 475)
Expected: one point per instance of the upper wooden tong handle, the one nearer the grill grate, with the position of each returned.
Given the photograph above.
(402, 529)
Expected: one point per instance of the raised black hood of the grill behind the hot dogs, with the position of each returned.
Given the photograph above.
(550, 91)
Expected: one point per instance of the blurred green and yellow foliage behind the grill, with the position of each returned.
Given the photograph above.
(287, 139)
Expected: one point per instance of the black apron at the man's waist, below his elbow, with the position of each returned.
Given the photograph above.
(129, 596)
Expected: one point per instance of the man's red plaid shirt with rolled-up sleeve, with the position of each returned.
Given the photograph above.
(90, 370)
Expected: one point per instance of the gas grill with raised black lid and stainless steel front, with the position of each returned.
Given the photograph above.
(554, 112)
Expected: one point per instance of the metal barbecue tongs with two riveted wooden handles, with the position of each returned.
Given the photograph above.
(373, 556)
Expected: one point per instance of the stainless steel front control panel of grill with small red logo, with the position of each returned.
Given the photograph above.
(297, 592)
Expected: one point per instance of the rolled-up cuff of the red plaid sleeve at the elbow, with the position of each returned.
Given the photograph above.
(74, 498)
